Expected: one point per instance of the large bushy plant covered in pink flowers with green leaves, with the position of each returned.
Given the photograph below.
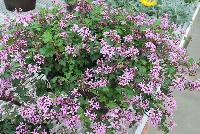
(90, 70)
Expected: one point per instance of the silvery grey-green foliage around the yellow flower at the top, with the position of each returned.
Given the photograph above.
(180, 11)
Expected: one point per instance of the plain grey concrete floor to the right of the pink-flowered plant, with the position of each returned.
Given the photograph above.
(187, 115)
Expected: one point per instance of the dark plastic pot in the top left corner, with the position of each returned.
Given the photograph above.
(25, 5)
